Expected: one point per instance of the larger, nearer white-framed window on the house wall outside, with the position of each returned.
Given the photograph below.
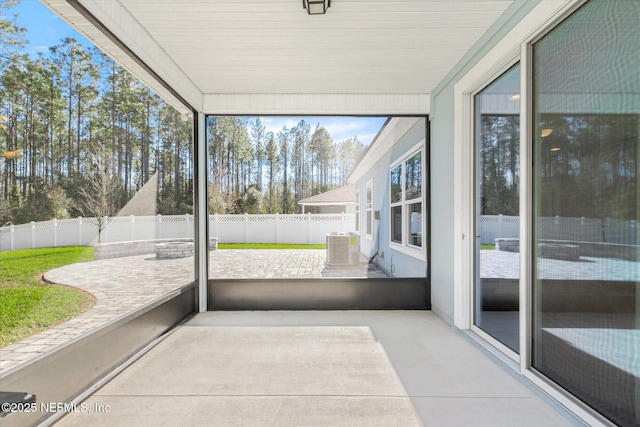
(405, 200)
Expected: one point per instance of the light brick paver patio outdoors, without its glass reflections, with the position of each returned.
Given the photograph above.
(122, 285)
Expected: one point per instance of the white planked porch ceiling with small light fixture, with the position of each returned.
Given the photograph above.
(235, 52)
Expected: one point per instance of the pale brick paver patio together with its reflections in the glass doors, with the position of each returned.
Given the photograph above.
(122, 285)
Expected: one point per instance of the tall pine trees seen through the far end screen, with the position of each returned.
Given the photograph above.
(255, 171)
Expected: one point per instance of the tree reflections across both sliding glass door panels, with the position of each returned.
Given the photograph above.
(585, 165)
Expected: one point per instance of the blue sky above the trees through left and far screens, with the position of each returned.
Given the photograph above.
(46, 29)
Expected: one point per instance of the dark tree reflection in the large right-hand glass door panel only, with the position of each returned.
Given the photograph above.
(588, 166)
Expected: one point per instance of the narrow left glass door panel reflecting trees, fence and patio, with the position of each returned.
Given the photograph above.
(497, 271)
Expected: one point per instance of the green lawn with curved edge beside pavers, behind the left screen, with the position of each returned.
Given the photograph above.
(29, 306)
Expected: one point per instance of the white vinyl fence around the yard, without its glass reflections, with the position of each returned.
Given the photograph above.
(303, 229)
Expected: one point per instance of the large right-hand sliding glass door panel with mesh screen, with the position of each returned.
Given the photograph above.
(586, 253)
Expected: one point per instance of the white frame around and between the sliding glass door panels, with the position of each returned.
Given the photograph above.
(514, 46)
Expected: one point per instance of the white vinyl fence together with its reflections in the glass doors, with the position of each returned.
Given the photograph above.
(297, 228)
